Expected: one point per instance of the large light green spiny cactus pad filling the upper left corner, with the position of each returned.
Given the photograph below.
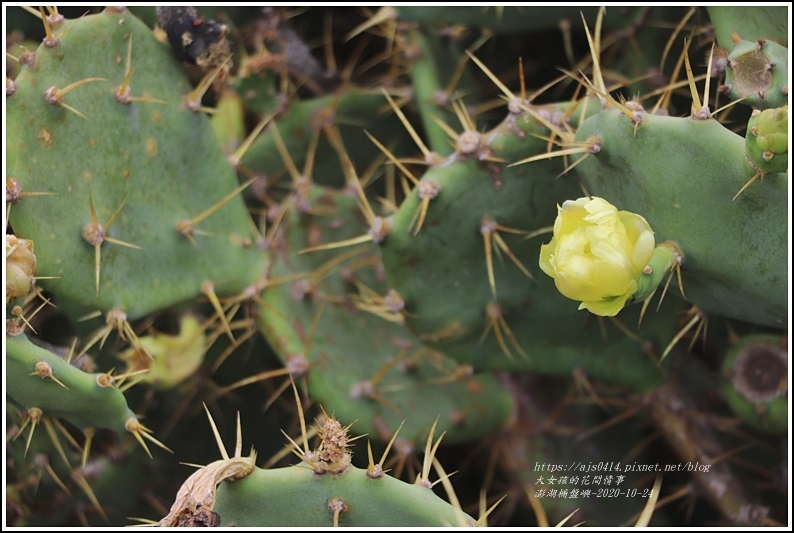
(145, 166)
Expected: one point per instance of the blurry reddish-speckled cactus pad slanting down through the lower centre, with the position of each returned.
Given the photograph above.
(351, 346)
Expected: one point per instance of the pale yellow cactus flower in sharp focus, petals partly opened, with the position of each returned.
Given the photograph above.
(597, 254)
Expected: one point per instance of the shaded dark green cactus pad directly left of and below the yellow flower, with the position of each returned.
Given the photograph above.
(441, 271)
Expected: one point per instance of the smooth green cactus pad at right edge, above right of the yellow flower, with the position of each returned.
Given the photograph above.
(681, 175)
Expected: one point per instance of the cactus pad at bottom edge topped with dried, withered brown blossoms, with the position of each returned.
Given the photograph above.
(331, 491)
